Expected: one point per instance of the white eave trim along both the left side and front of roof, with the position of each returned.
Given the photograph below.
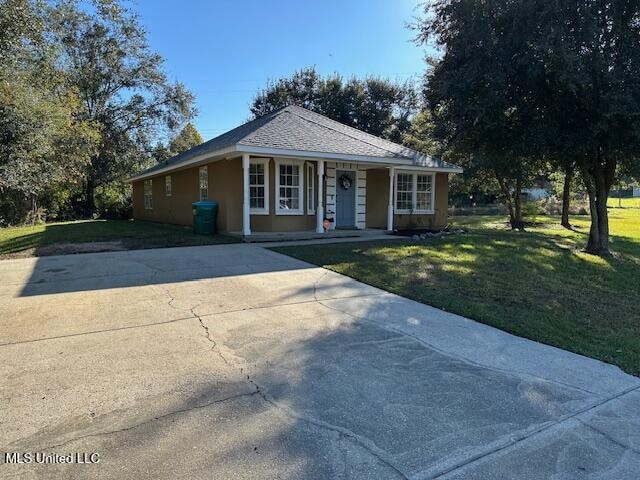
(398, 163)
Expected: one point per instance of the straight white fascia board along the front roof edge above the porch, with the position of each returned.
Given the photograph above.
(397, 162)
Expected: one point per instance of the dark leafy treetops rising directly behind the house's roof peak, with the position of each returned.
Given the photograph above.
(375, 105)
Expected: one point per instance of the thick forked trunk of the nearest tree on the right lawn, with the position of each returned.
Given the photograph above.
(598, 180)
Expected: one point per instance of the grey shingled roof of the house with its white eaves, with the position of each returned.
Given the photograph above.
(297, 131)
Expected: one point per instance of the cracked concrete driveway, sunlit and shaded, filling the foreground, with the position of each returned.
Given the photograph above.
(236, 362)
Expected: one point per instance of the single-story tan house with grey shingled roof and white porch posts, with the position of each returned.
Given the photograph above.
(295, 170)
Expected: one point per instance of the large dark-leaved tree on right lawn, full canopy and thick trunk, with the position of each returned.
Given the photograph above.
(527, 79)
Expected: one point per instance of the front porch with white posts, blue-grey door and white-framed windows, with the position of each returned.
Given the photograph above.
(305, 197)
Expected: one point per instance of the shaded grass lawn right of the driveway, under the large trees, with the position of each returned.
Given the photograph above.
(536, 284)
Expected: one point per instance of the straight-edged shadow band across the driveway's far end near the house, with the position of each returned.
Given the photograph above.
(108, 270)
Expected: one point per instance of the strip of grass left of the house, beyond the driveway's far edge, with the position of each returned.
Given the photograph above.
(97, 235)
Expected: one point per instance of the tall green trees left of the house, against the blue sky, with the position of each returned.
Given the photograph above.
(83, 104)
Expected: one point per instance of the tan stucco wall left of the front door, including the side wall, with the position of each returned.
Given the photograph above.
(225, 187)
